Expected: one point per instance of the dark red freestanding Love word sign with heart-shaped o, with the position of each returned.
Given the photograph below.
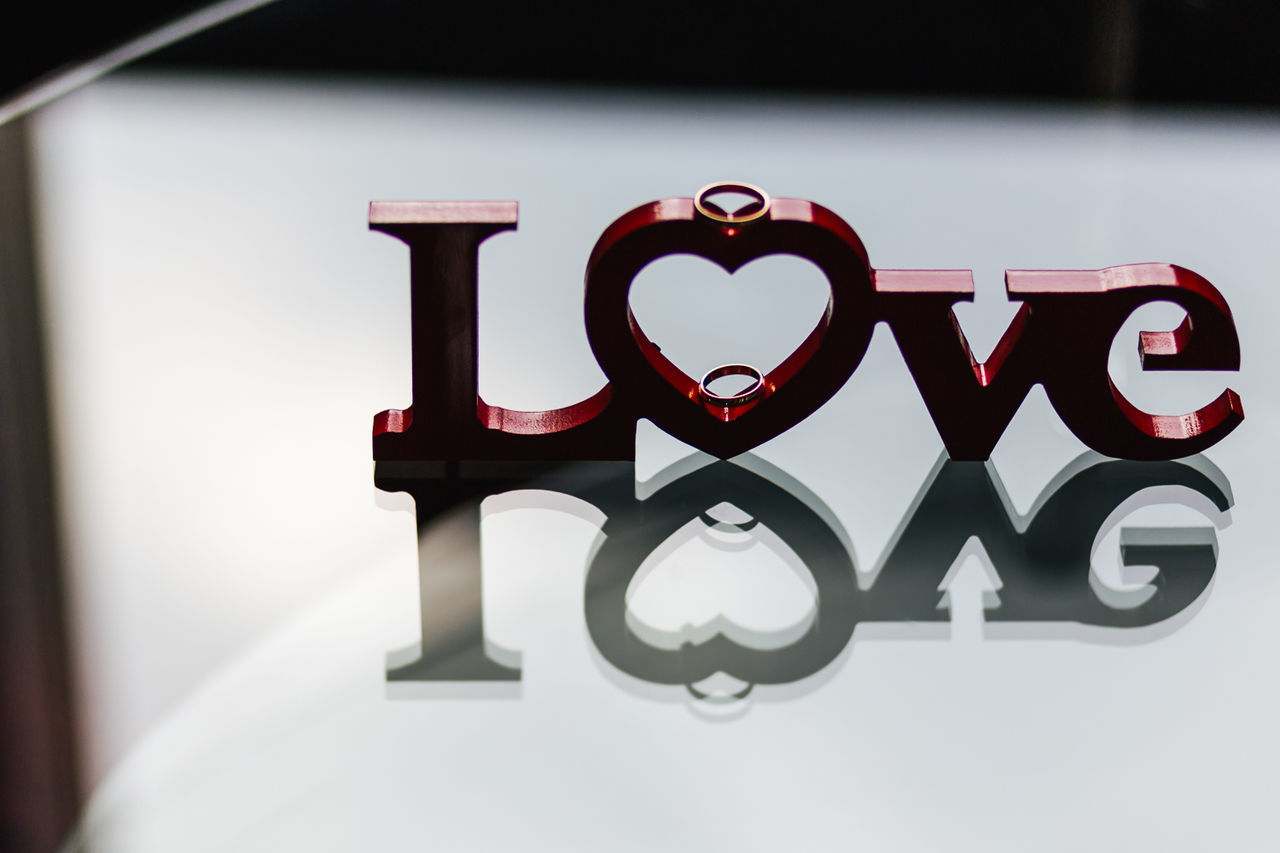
(1060, 339)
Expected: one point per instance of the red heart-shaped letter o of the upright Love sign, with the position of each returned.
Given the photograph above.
(651, 386)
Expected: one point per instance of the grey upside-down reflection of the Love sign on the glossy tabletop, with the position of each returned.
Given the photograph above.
(1044, 562)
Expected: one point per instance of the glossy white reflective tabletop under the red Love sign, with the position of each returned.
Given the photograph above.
(838, 641)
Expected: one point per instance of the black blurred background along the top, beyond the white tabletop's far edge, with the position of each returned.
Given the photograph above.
(1156, 52)
